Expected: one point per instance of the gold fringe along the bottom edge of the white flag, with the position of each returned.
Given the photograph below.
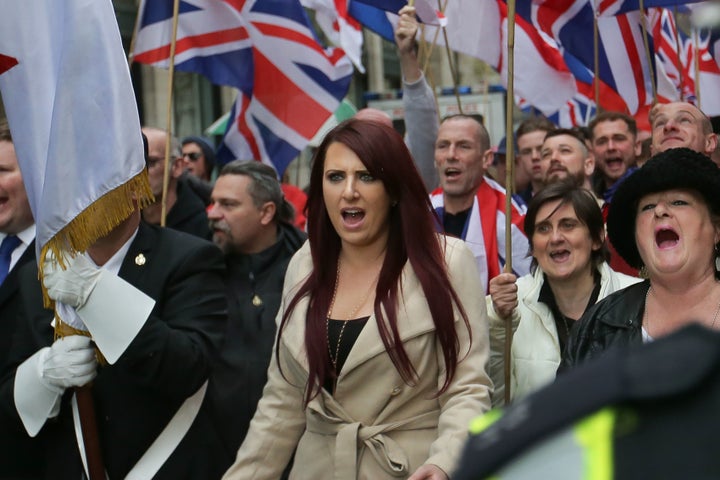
(96, 221)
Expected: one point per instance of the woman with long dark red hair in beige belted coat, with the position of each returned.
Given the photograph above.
(379, 360)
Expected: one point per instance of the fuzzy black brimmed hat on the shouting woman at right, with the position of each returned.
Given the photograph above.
(676, 168)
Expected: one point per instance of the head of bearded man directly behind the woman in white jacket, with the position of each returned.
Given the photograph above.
(565, 155)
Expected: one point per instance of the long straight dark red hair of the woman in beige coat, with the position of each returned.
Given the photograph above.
(412, 236)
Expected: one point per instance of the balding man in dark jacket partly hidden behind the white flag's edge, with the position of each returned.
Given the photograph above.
(185, 209)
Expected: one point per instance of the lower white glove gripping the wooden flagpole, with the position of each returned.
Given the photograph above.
(69, 362)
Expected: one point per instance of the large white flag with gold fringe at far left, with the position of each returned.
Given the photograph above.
(73, 117)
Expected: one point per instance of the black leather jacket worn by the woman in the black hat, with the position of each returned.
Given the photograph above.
(613, 322)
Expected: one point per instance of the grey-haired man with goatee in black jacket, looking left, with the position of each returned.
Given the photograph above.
(252, 223)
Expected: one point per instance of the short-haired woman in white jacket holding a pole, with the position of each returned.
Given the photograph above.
(569, 274)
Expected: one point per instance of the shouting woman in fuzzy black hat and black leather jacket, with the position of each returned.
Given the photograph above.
(664, 219)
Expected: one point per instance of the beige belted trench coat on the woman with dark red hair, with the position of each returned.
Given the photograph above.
(375, 426)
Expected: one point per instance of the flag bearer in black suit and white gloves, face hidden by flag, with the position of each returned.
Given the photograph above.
(135, 292)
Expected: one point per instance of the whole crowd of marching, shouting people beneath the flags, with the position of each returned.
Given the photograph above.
(362, 341)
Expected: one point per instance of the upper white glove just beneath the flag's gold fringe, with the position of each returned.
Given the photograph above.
(73, 285)
